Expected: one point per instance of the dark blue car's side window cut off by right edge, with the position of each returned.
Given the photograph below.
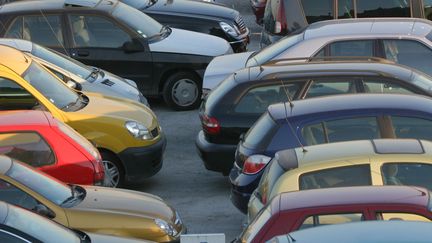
(412, 127)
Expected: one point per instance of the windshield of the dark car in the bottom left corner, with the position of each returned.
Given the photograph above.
(38, 227)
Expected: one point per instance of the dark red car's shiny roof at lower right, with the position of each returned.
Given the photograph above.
(353, 195)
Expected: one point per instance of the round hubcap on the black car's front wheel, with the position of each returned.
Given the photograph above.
(184, 92)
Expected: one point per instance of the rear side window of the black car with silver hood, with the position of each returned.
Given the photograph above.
(44, 30)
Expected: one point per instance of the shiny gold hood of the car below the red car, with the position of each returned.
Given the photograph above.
(119, 201)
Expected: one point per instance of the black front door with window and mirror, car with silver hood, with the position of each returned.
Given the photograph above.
(100, 41)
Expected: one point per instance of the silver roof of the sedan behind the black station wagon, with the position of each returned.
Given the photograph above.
(368, 27)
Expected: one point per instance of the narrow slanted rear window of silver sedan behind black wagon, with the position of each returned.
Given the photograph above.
(268, 53)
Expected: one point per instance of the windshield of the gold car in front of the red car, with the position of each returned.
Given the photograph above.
(48, 187)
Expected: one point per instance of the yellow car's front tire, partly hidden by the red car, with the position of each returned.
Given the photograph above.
(114, 172)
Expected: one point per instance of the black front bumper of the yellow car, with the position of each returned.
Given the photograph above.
(142, 162)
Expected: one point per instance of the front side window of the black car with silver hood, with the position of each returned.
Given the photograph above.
(97, 31)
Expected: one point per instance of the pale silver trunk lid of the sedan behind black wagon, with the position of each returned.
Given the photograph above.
(221, 67)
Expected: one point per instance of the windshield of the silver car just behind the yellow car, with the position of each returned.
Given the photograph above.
(62, 61)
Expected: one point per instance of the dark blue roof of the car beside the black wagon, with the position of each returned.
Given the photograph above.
(350, 102)
